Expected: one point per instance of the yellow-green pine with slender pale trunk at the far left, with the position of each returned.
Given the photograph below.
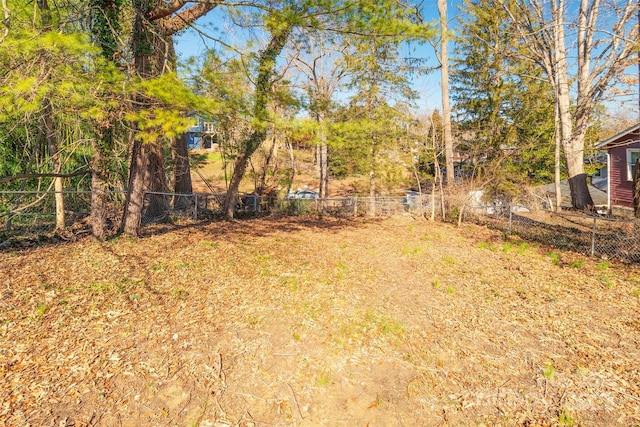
(48, 78)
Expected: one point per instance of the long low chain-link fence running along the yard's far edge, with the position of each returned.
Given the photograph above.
(24, 213)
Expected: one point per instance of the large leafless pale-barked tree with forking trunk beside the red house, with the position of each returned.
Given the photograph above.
(605, 36)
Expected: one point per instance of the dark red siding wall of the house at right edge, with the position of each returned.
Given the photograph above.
(621, 189)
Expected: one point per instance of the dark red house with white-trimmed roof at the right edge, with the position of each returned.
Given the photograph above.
(623, 150)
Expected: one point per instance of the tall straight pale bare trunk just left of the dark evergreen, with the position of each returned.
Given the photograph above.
(446, 109)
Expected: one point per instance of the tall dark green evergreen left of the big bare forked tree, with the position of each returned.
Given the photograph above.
(504, 105)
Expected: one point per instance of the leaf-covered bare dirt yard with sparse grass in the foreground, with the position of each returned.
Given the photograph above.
(307, 322)
